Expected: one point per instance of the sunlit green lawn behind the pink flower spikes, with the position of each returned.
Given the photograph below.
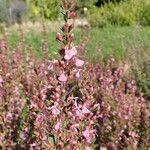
(111, 40)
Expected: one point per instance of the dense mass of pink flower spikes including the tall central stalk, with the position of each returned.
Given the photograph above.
(68, 103)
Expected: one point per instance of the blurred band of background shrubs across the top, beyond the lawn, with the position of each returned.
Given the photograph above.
(99, 13)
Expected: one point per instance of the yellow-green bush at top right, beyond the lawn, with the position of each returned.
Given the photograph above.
(126, 13)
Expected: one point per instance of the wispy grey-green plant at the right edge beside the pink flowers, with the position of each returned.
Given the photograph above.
(138, 56)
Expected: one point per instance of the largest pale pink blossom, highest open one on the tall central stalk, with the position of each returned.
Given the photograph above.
(69, 53)
